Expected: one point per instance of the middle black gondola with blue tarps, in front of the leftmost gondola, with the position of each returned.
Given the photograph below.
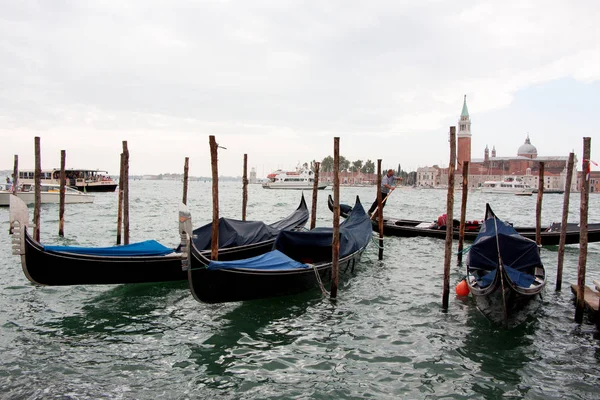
(297, 262)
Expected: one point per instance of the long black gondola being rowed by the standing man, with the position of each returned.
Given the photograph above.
(550, 235)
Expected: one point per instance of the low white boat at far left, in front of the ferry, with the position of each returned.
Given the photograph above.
(49, 194)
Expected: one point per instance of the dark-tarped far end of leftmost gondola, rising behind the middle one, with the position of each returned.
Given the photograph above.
(233, 232)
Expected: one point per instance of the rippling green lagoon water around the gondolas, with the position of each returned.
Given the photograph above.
(386, 337)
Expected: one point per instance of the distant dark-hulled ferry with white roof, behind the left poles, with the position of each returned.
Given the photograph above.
(85, 180)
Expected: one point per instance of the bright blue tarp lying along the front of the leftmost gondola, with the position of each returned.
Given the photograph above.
(146, 248)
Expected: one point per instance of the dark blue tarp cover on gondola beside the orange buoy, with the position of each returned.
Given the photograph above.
(519, 255)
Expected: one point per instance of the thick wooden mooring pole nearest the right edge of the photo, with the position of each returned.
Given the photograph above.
(583, 229)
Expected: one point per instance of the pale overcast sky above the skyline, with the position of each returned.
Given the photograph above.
(279, 80)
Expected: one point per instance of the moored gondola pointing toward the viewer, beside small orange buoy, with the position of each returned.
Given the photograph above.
(504, 271)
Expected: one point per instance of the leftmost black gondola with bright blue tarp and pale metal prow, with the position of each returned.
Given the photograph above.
(141, 262)
